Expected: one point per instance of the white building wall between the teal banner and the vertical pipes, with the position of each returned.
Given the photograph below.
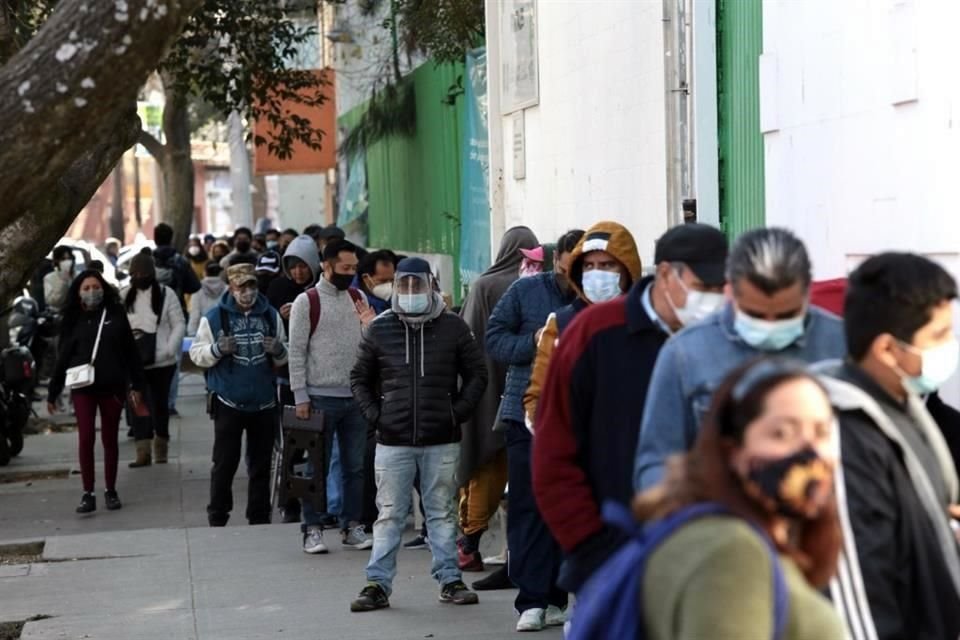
(595, 144)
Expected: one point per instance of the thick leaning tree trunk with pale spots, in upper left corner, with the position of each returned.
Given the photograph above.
(90, 58)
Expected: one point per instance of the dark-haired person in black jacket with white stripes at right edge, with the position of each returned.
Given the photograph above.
(900, 576)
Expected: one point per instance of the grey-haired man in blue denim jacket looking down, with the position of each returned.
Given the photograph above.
(768, 275)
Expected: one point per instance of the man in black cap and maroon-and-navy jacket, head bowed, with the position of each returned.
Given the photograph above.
(593, 397)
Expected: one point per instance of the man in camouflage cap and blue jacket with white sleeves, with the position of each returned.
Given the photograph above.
(240, 342)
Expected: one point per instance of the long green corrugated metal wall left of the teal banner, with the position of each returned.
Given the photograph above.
(414, 183)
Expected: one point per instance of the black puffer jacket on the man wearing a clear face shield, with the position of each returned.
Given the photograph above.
(406, 378)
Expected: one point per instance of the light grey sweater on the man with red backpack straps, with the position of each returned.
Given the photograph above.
(320, 362)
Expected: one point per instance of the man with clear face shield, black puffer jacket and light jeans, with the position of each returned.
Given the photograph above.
(406, 383)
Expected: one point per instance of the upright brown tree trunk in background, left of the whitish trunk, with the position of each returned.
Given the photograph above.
(177, 165)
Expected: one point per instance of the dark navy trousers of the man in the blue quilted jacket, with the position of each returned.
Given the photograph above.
(535, 557)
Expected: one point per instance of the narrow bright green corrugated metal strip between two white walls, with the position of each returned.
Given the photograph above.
(739, 45)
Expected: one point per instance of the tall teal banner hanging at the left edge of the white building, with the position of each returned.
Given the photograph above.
(475, 172)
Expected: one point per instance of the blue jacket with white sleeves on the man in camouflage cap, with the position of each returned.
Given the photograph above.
(246, 379)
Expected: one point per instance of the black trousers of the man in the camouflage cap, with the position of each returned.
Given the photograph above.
(229, 425)
